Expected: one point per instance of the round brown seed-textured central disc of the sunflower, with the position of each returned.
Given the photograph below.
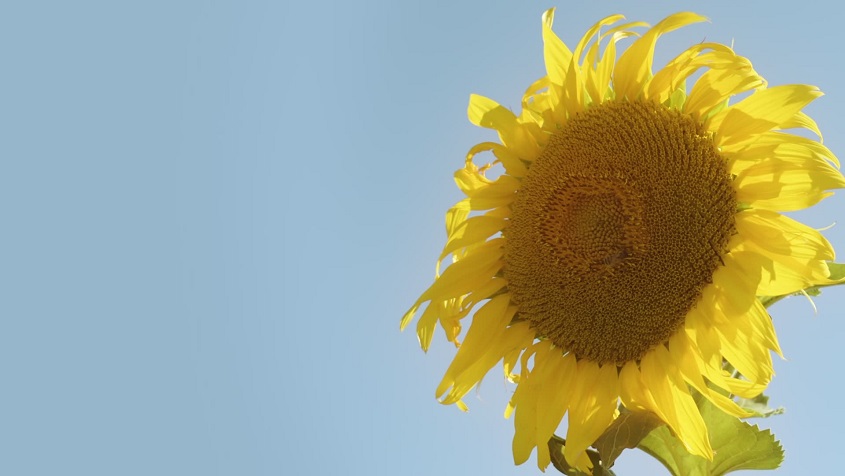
(617, 228)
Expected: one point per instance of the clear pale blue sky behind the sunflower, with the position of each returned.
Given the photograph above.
(214, 214)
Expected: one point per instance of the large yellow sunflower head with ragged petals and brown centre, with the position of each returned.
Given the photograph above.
(617, 259)
